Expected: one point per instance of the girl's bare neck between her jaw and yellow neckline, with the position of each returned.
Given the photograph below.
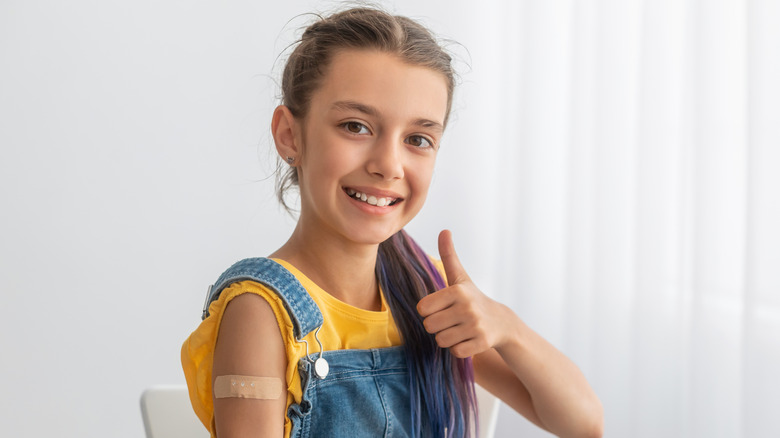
(345, 270)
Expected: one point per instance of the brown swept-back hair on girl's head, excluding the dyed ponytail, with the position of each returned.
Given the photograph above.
(358, 28)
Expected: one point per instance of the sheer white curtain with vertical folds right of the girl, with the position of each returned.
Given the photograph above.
(636, 148)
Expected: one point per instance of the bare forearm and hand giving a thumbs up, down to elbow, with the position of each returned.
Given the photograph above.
(510, 360)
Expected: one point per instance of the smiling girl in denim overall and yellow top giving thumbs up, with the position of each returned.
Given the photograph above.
(340, 332)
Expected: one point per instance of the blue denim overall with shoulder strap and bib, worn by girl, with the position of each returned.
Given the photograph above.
(346, 393)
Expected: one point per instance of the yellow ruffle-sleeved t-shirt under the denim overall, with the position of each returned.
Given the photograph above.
(344, 327)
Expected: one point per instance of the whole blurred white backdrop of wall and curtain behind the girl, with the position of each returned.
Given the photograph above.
(610, 171)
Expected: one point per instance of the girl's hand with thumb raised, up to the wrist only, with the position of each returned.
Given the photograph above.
(463, 318)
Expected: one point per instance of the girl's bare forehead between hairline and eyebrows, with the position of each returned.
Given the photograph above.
(385, 82)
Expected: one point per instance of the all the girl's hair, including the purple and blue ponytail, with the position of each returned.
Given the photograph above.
(442, 397)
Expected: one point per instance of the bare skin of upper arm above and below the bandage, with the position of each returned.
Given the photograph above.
(249, 344)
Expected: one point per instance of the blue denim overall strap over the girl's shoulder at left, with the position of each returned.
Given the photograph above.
(303, 311)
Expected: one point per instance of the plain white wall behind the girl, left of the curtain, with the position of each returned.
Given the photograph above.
(133, 169)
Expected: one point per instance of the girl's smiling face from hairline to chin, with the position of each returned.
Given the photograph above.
(369, 145)
